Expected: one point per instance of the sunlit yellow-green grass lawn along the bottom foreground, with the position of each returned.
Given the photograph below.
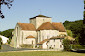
(41, 53)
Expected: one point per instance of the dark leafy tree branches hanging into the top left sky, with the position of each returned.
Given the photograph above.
(5, 2)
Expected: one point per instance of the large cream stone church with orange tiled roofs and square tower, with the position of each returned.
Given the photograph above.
(41, 32)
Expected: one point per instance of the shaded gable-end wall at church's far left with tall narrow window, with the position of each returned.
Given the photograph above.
(16, 36)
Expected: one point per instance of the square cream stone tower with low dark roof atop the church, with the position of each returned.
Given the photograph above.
(37, 21)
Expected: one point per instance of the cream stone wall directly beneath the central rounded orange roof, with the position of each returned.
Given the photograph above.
(46, 34)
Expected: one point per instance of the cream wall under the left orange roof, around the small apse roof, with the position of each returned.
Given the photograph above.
(26, 34)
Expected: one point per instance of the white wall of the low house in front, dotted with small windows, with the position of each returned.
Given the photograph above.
(51, 44)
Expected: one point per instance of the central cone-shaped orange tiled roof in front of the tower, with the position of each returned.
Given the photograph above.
(46, 26)
